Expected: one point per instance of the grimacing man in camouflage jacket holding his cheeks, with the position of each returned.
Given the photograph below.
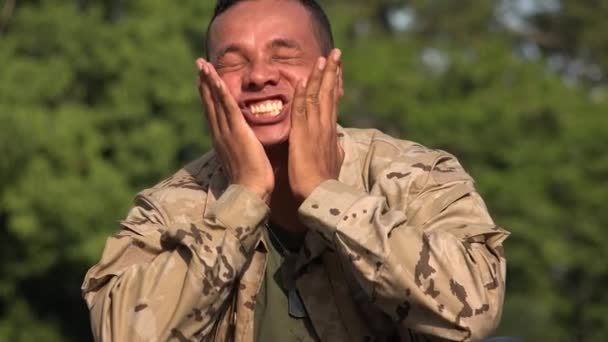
(294, 228)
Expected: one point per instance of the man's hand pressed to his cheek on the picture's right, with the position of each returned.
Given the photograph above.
(314, 153)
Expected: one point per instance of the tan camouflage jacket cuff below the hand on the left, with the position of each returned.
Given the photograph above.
(240, 210)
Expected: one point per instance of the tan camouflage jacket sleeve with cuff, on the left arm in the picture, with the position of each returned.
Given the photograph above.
(159, 280)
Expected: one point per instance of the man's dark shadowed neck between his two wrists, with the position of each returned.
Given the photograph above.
(283, 205)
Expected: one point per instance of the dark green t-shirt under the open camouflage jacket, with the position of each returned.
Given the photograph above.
(272, 319)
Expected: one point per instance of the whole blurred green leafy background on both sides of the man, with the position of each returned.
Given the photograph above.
(97, 101)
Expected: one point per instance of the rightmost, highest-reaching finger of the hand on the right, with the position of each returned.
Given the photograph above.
(327, 91)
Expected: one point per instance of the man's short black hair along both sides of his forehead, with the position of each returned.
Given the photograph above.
(322, 25)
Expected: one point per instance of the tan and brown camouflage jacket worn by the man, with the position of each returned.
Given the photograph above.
(400, 247)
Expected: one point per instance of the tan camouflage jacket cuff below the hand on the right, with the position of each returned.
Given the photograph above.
(327, 206)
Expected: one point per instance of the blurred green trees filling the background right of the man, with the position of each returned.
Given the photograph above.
(481, 80)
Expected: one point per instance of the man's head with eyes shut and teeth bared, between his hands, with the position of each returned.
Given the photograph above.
(261, 49)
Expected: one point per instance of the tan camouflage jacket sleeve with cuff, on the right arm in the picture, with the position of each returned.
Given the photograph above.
(421, 245)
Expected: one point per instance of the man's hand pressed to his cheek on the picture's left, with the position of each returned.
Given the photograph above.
(241, 153)
